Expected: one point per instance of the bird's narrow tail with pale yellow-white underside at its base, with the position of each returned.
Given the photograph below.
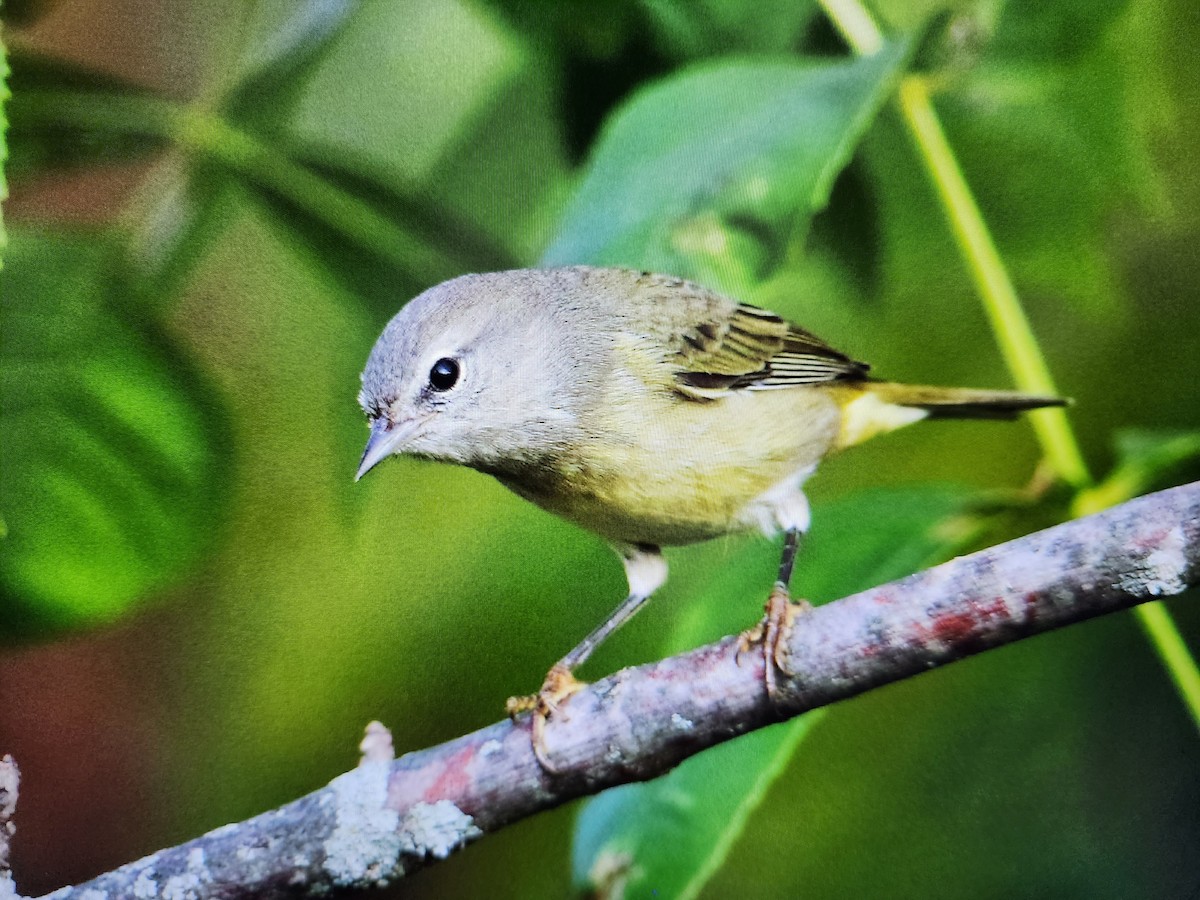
(877, 407)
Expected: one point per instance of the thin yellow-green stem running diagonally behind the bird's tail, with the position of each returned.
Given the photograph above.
(1011, 326)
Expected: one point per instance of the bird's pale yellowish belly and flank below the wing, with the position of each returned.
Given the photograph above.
(686, 471)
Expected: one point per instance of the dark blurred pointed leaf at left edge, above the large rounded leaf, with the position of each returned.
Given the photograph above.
(68, 116)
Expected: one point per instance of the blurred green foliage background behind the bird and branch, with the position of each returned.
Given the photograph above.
(217, 206)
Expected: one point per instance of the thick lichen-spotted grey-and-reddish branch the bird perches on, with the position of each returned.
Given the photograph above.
(389, 818)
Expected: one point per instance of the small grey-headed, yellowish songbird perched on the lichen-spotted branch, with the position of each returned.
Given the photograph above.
(643, 407)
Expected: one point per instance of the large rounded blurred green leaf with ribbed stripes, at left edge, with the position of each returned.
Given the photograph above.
(111, 441)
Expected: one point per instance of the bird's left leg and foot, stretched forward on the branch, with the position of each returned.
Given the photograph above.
(646, 571)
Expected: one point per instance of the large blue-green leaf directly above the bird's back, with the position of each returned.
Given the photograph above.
(713, 172)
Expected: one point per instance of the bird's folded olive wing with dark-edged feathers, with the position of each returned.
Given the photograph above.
(747, 349)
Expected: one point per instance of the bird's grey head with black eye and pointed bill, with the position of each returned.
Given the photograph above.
(485, 370)
